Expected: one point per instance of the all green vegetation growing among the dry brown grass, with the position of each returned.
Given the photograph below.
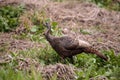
(89, 66)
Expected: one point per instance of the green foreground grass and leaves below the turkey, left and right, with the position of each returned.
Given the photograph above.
(89, 65)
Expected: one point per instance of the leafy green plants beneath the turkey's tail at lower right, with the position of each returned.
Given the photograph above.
(91, 66)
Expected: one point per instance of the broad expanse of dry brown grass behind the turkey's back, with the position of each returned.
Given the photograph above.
(103, 25)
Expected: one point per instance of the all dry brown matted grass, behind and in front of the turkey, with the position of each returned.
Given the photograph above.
(103, 26)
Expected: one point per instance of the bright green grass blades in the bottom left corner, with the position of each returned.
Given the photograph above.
(10, 74)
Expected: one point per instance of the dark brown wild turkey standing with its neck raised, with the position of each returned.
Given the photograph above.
(68, 46)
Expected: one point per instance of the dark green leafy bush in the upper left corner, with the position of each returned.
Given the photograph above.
(9, 17)
